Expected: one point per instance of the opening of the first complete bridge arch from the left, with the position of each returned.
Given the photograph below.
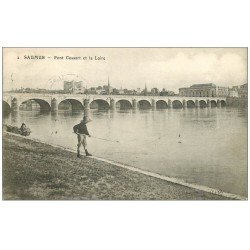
(34, 104)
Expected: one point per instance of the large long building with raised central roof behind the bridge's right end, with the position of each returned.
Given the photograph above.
(204, 90)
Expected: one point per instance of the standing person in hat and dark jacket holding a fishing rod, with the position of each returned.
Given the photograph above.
(82, 131)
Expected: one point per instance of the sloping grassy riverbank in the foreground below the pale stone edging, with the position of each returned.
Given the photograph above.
(37, 171)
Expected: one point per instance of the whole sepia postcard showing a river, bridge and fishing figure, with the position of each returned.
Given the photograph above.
(125, 123)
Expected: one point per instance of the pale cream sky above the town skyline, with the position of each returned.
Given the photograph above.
(131, 68)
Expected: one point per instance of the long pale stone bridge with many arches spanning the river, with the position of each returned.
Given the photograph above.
(53, 102)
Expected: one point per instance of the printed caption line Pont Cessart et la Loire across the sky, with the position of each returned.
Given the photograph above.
(40, 57)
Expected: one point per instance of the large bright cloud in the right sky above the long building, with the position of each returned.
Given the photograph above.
(183, 70)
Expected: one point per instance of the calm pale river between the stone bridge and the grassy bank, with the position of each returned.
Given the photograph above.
(211, 149)
